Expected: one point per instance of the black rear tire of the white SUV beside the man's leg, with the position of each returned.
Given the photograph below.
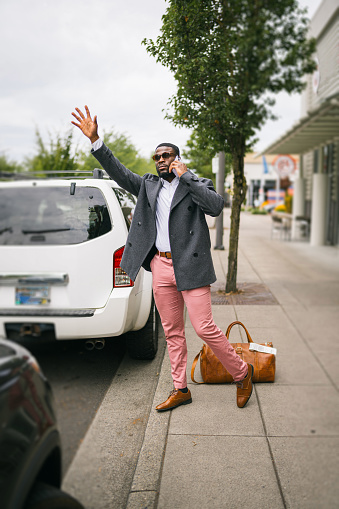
(143, 344)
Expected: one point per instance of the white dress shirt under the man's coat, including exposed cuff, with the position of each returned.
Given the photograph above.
(163, 207)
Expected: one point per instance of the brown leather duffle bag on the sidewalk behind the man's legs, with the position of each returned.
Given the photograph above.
(213, 372)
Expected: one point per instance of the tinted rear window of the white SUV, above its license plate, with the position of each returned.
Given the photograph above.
(51, 215)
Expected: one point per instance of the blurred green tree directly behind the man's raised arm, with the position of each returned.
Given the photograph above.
(124, 150)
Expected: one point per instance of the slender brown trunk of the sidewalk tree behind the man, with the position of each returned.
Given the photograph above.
(239, 194)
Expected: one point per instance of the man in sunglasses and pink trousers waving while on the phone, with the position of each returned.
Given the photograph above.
(169, 236)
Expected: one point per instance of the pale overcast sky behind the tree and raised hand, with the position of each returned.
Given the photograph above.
(67, 53)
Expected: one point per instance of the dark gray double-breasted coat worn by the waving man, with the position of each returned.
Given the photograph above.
(188, 230)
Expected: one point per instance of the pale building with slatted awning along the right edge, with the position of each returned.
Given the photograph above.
(316, 136)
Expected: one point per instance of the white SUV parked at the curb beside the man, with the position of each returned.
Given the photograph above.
(61, 243)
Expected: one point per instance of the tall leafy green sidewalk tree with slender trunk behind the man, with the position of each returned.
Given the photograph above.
(229, 58)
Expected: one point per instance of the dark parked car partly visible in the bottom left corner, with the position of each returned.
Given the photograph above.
(30, 449)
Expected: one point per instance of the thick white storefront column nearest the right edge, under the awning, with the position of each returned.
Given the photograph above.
(319, 209)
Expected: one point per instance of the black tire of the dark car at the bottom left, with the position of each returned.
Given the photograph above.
(45, 496)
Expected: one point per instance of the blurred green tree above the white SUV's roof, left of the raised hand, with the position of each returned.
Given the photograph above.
(57, 159)
